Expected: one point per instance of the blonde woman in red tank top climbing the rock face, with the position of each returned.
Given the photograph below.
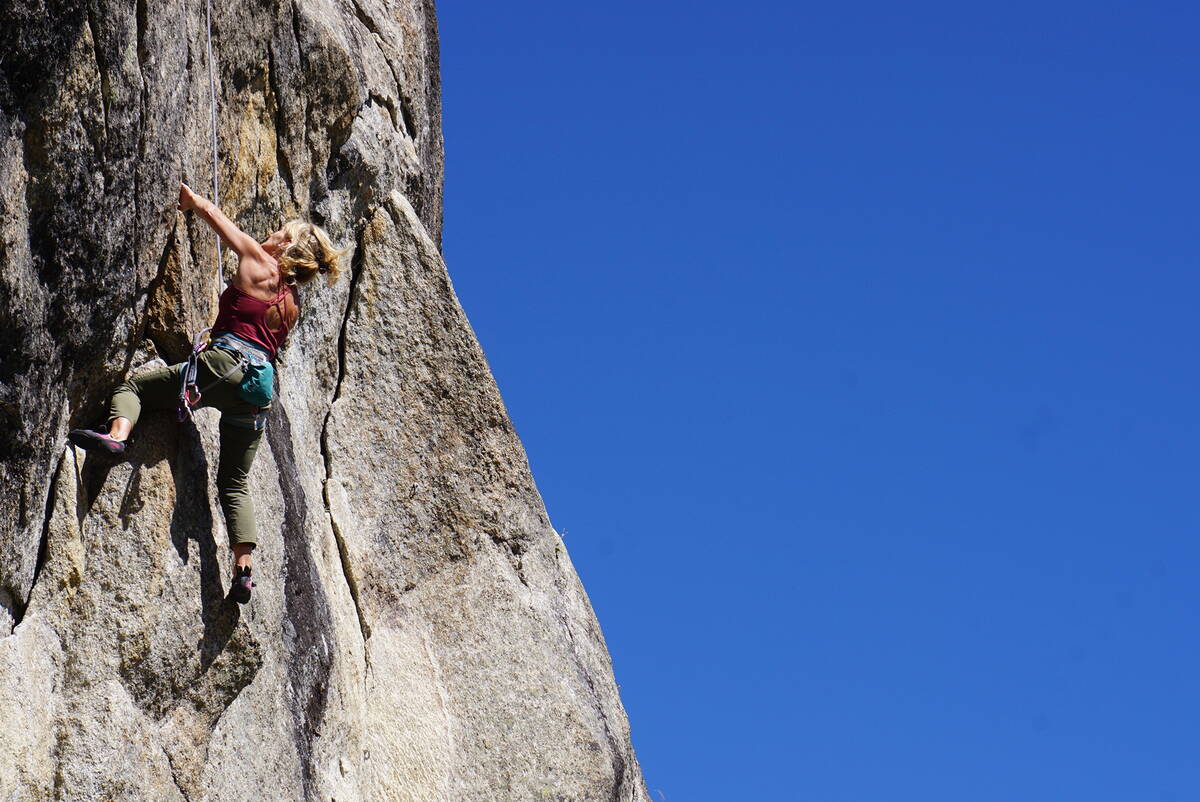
(256, 313)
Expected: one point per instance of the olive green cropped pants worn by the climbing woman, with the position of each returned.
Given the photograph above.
(159, 390)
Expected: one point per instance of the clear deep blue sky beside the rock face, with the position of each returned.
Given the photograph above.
(854, 348)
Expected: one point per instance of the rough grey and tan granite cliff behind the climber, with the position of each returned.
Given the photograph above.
(418, 632)
